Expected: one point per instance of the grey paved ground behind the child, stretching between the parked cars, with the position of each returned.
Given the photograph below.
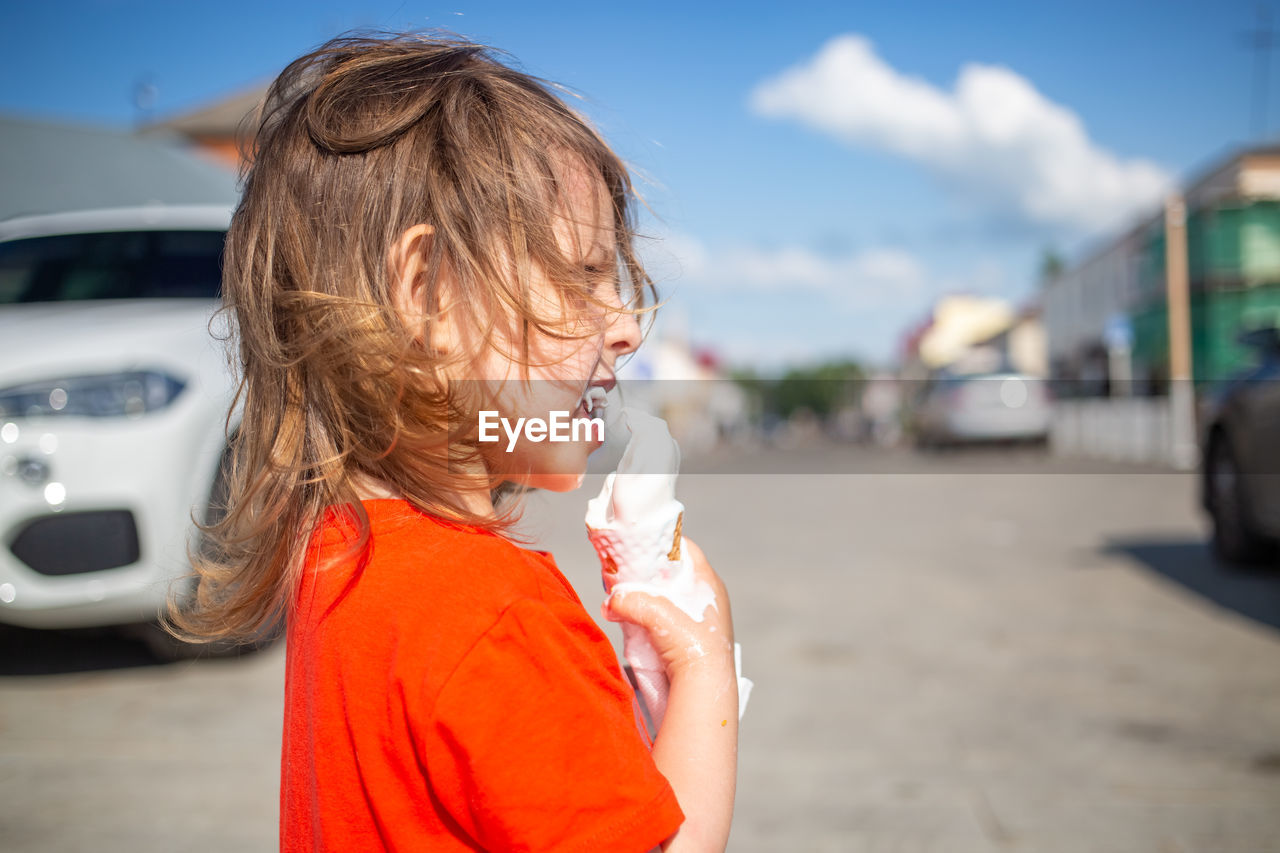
(967, 653)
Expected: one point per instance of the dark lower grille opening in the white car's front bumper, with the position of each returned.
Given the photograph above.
(79, 542)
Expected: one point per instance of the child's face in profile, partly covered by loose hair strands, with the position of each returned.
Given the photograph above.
(561, 371)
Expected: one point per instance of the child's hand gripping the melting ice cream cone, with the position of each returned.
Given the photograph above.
(684, 645)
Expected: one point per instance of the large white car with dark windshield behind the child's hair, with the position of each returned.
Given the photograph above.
(113, 409)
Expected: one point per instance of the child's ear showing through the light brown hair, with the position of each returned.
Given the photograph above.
(435, 326)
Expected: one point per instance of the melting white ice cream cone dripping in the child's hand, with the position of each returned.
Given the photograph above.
(637, 527)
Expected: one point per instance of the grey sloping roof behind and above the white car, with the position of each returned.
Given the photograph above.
(48, 167)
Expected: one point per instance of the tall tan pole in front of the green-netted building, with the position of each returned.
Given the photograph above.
(1182, 393)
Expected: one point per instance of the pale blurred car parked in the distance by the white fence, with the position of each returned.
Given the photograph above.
(982, 408)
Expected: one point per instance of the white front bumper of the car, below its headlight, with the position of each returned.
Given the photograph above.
(74, 491)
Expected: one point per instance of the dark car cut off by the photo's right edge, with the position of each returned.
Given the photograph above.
(1241, 471)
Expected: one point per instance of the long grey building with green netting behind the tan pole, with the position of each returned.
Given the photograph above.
(1108, 317)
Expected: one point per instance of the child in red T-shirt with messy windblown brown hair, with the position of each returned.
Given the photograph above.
(427, 234)
